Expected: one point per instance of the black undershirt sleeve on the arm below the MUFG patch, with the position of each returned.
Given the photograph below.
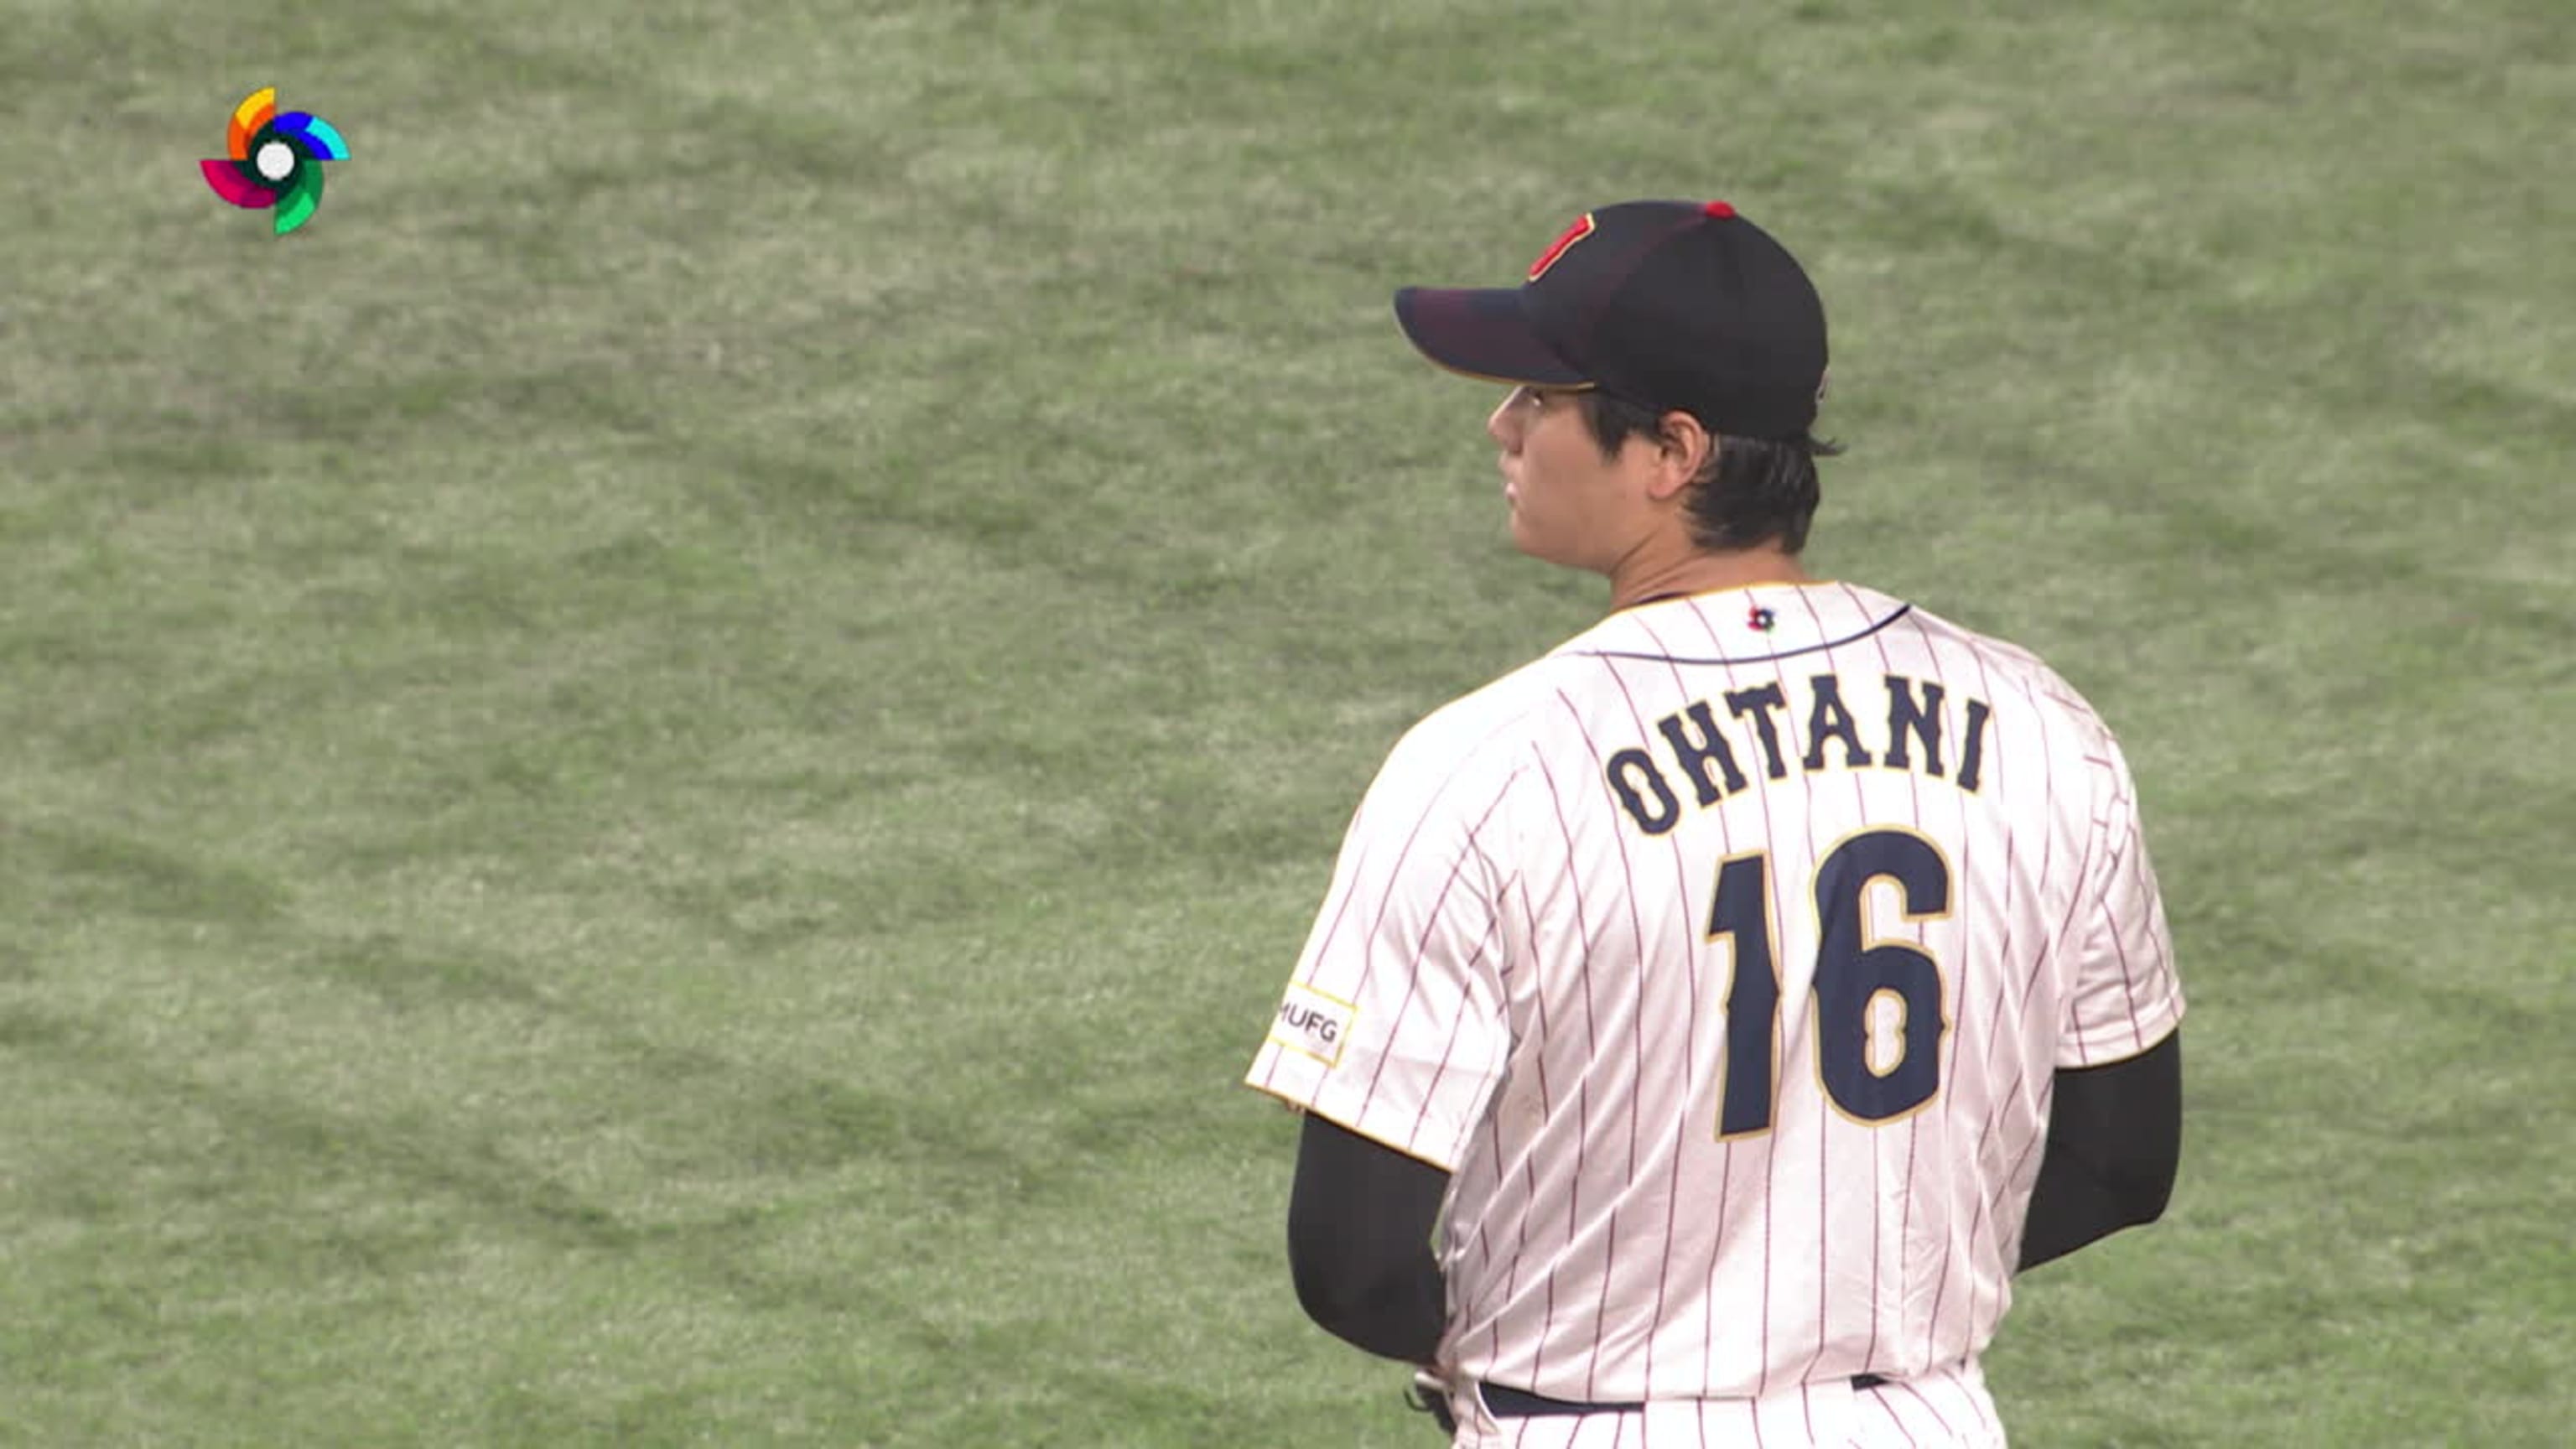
(1361, 1244)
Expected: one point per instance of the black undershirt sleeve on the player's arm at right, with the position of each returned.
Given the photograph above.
(2114, 1143)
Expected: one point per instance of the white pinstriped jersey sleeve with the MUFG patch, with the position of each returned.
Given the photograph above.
(1395, 1017)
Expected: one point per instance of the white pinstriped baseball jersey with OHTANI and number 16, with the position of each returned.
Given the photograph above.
(1725, 958)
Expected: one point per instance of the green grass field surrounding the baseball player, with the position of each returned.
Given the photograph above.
(658, 777)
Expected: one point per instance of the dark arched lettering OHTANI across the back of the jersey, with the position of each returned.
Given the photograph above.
(1730, 744)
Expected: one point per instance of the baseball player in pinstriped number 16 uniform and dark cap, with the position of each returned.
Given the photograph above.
(1709, 1020)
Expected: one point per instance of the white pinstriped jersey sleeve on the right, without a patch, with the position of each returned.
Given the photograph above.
(2126, 994)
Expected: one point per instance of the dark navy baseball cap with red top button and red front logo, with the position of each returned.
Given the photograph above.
(1676, 306)
